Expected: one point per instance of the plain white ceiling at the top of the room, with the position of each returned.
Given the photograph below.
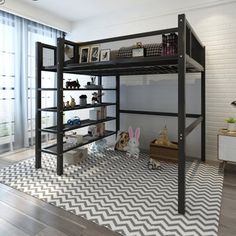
(74, 10)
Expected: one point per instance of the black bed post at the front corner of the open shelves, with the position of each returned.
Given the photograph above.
(60, 64)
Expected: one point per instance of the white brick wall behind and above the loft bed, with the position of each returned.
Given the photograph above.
(215, 24)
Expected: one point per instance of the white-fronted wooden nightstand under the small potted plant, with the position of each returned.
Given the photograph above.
(226, 146)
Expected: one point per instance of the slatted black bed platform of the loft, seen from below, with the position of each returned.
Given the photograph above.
(134, 66)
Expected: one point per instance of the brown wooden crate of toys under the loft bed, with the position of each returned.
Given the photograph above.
(163, 153)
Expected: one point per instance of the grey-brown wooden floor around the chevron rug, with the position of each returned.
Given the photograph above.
(21, 214)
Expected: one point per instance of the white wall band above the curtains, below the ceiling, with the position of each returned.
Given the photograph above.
(27, 11)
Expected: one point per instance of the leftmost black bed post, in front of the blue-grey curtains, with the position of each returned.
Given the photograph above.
(38, 145)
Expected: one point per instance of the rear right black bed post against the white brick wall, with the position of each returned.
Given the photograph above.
(203, 107)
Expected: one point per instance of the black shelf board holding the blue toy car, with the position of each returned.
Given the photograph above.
(84, 123)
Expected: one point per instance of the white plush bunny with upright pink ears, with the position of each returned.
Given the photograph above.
(133, 145)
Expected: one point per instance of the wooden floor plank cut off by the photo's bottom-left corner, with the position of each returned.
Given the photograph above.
(8, 229)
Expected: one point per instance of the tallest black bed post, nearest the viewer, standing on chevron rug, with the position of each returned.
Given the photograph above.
(181, 111)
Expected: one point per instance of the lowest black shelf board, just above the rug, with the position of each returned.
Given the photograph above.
(52, 149)
